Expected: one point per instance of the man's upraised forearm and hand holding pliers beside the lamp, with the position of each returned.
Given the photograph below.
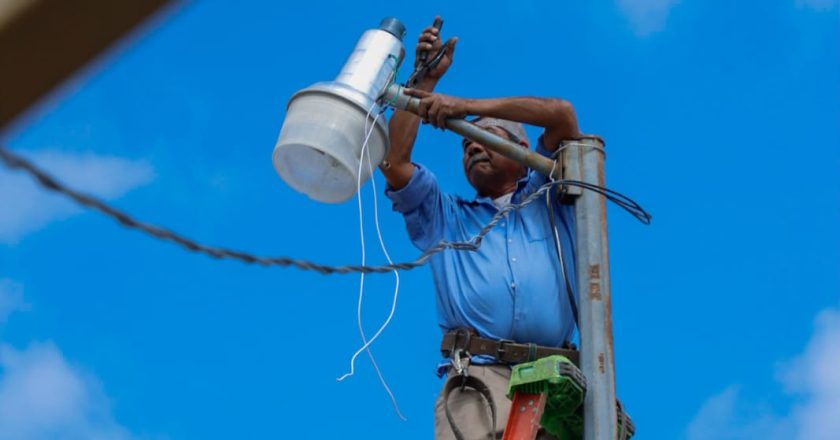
(403, 127)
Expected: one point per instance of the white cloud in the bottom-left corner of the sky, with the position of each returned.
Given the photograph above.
(43, 397)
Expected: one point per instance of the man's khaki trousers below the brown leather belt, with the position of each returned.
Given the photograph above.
(470, 410)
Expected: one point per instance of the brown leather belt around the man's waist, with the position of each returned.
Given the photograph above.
(505, 351)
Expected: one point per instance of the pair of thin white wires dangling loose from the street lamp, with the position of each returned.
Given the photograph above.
(365, 153)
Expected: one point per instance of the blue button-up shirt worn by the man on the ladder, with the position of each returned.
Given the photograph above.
(512, 287)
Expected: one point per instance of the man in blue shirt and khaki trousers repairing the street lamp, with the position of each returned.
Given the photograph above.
(512, 288)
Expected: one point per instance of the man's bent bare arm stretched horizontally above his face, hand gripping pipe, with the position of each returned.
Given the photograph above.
(557, 116)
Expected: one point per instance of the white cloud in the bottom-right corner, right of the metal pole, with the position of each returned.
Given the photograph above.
(811, 380)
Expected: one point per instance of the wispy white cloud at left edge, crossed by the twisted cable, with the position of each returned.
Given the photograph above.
(27, 208)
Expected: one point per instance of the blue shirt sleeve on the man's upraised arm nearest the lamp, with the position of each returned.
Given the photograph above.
(423, 206)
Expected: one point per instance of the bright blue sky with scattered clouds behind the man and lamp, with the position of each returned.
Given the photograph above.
(720, 117)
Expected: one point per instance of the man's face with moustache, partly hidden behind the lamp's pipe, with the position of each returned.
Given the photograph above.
(490, 173)
